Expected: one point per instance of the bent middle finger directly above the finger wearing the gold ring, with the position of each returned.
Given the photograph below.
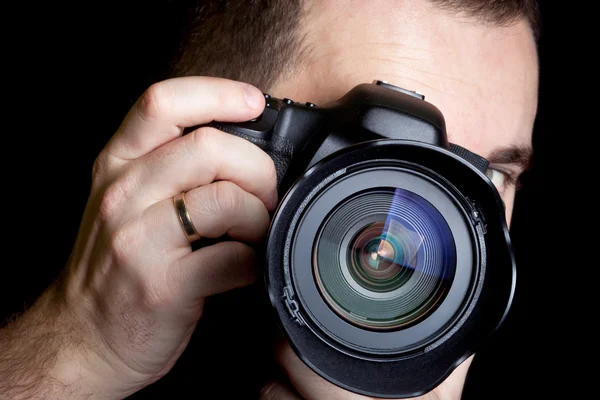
(200, 158)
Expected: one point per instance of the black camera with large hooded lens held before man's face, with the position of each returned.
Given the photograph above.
(388, 260)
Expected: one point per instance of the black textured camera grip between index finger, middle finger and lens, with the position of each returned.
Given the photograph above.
(278, 148)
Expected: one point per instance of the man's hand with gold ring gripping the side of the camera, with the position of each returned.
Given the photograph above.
(133, 290)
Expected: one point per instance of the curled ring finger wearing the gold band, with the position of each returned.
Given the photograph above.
(215, 210)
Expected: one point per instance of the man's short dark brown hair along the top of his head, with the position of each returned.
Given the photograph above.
(253, 41)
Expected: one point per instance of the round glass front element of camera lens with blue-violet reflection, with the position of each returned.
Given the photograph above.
(384, 259)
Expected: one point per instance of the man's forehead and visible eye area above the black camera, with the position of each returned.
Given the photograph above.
(484, 79)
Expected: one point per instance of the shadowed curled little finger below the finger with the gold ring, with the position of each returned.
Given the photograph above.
(214, 269)
